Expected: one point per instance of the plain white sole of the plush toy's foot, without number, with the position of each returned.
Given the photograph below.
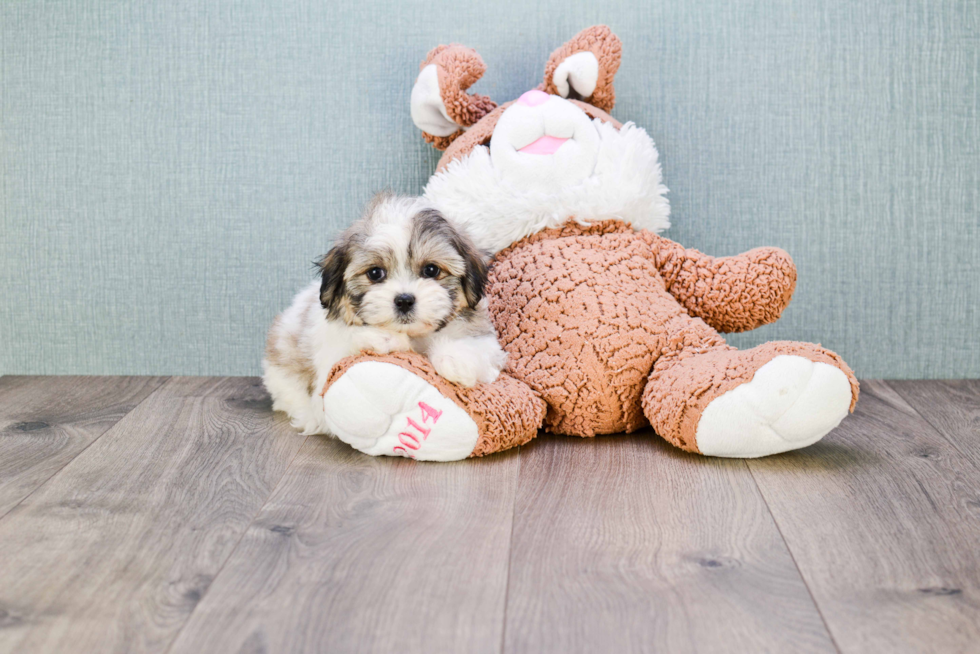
(789, 403)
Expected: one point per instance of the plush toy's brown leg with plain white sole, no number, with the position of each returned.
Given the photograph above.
(776, 397)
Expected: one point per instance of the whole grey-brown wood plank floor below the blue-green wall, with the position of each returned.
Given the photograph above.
(181, 515)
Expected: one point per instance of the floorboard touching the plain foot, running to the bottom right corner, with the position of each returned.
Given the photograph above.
(883, 519)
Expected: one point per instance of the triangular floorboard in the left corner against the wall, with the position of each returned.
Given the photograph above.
(46, 421)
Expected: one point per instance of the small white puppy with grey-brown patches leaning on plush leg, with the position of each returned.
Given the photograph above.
(401, 278)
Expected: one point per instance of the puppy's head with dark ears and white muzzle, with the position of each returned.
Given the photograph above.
(402, 267)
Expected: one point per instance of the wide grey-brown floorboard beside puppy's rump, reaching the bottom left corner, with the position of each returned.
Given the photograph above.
(115, 551)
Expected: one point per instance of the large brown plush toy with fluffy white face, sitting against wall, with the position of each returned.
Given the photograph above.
(609, 327)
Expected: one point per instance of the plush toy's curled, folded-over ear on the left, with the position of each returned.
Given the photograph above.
(441, 108)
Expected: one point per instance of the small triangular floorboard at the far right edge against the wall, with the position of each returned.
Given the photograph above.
(952, 407)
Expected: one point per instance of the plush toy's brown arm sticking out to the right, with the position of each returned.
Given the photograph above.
(732, 294)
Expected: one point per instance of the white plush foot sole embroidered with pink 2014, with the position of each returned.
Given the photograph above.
(383, 409)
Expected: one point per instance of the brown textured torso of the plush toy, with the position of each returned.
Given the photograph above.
(583, 319)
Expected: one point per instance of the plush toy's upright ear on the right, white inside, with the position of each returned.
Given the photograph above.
(583, 69)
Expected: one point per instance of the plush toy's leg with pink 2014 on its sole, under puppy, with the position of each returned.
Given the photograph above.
(397, 405)
